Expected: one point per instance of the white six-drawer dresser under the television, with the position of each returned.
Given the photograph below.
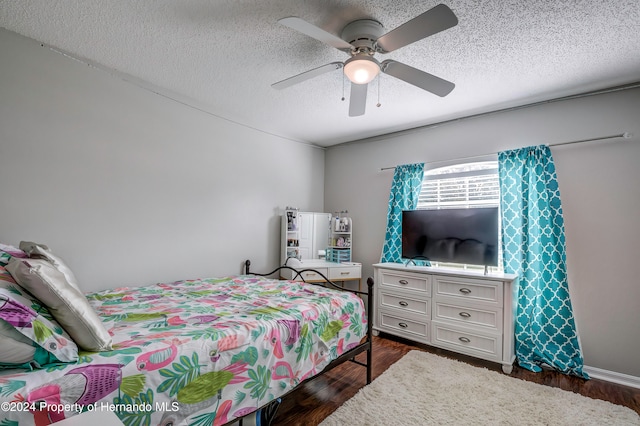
(462, 311)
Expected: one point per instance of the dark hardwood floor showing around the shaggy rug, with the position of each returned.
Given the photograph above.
(318, 398)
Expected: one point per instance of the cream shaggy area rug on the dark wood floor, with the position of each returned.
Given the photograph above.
(426, 389)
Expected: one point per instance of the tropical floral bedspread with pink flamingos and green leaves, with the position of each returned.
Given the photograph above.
(194, 352)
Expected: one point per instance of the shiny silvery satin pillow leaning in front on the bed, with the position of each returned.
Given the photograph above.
(66, 303)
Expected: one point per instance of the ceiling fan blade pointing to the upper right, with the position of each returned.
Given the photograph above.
(429, 23)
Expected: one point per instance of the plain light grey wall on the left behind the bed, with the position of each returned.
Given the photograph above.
(132, 188)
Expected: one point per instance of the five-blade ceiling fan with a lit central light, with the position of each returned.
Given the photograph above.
(362, 39)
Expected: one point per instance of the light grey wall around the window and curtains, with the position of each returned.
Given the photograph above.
(599, 190)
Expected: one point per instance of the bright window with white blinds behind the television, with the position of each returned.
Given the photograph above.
(460, 186)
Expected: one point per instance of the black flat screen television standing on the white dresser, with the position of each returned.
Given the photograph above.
(451, 235)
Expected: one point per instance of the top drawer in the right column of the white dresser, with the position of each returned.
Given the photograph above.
(472, 290)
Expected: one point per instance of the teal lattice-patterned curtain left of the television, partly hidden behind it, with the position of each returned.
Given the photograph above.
(407, 181)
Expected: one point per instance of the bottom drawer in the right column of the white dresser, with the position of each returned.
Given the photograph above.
(486, 346)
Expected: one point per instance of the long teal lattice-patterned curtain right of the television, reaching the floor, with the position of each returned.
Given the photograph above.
(533, 244)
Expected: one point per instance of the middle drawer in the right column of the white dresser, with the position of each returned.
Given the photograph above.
(489, 317)
